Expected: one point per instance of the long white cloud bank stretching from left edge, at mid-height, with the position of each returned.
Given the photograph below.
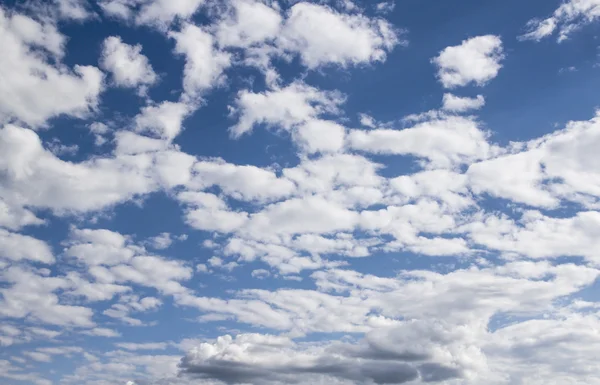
(35, 177)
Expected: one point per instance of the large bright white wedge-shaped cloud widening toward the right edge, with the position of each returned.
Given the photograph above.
(558, 166)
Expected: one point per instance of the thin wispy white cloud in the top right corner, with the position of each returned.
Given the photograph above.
(570, 16)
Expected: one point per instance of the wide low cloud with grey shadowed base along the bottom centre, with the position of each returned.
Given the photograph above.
(270, 359)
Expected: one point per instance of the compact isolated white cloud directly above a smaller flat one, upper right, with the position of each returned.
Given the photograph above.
(476, 60)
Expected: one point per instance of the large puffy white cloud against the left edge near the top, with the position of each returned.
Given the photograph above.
(39, 88)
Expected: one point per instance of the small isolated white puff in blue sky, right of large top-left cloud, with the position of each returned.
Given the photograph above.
(129, 67)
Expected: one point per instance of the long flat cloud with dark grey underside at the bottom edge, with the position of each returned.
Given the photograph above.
(364, 362)
